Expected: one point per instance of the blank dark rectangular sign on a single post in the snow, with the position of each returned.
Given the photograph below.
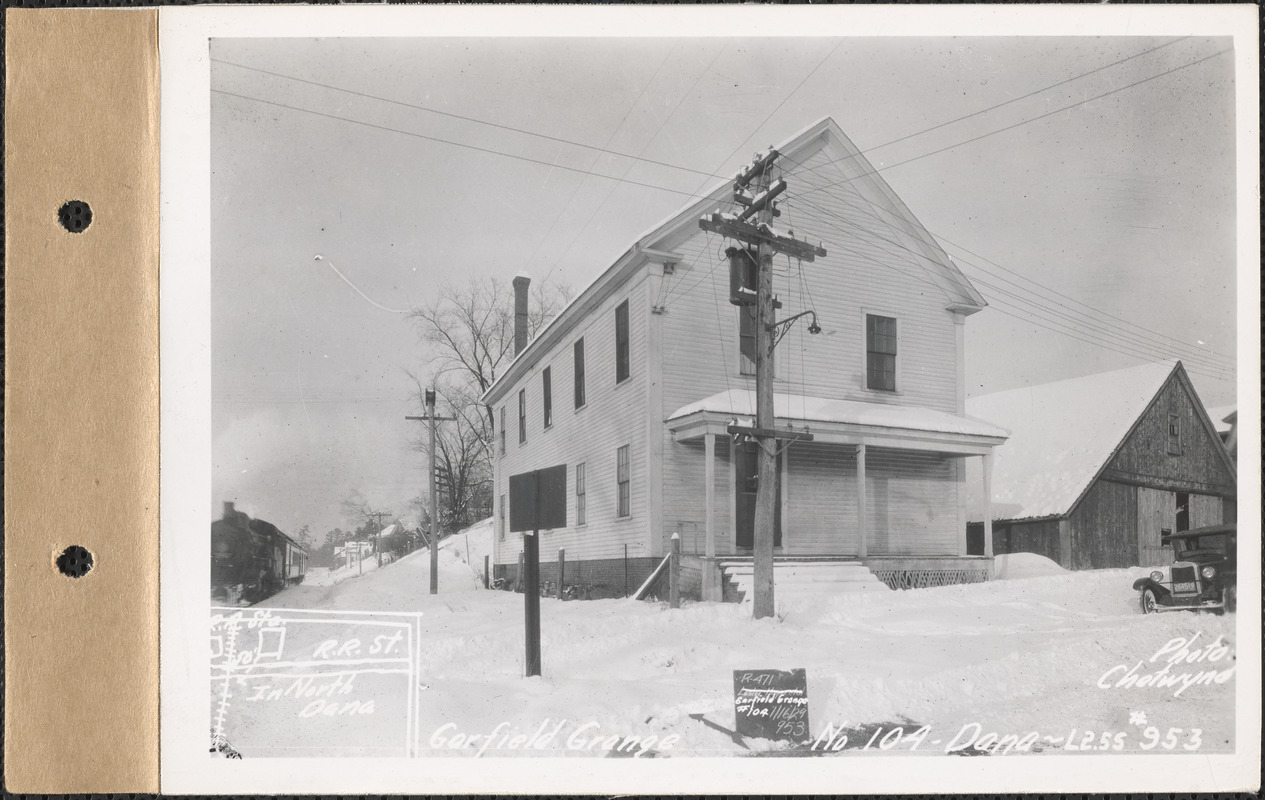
(538, 501)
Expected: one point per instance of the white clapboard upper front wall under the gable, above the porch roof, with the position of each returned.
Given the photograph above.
(861, 275)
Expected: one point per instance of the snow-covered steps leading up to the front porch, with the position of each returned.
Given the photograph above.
(801, 579)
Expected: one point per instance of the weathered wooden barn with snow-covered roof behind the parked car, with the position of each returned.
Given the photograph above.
(1097, 469)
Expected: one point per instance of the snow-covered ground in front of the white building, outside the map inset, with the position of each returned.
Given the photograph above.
(1039, 653)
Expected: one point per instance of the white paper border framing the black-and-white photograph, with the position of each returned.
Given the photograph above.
(187, 409)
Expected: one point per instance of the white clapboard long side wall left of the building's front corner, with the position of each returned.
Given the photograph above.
(613, 416)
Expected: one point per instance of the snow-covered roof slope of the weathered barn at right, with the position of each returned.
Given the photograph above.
(1062, 436)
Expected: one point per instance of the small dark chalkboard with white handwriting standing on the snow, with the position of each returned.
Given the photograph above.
(772, 704)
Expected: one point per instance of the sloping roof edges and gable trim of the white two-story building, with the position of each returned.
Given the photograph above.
(656, 246)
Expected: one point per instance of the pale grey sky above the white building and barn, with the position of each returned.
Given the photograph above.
(1102, 236)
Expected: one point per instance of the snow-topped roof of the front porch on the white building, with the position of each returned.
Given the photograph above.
(847, 422)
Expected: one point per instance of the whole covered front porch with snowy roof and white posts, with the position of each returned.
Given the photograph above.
(881, 484)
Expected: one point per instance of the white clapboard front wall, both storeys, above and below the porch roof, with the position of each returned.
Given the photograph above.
(914, 498)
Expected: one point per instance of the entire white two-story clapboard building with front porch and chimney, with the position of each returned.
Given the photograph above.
(634, 384)
